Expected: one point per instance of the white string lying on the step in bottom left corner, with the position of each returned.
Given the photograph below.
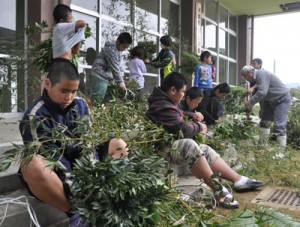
(18, 201)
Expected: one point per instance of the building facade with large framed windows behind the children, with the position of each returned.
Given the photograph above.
(194, 25)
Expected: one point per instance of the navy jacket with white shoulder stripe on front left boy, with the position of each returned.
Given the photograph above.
(44, 115)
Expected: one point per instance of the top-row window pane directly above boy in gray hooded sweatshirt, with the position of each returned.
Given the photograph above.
(119, 9)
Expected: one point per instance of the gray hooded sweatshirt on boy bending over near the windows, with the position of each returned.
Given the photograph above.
(107, 64)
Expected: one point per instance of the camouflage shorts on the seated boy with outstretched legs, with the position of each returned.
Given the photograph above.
(187, 152)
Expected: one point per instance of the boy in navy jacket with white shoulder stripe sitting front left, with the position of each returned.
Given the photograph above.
(58, 107)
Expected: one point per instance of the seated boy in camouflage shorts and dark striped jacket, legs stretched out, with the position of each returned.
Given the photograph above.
(202, 160)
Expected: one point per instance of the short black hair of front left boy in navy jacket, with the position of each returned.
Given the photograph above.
(62, 68)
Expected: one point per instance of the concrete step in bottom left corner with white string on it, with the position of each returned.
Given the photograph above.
(17, 214)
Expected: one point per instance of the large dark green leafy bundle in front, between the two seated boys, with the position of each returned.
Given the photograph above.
(126, 192)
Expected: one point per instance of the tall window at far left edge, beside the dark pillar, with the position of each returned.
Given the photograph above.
(12, 82)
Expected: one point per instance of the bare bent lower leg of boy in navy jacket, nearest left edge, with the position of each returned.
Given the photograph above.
(45, 184)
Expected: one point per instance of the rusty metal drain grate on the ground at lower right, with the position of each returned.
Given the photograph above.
(276, 197)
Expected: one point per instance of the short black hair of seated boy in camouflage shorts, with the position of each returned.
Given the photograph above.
(173, 79)
